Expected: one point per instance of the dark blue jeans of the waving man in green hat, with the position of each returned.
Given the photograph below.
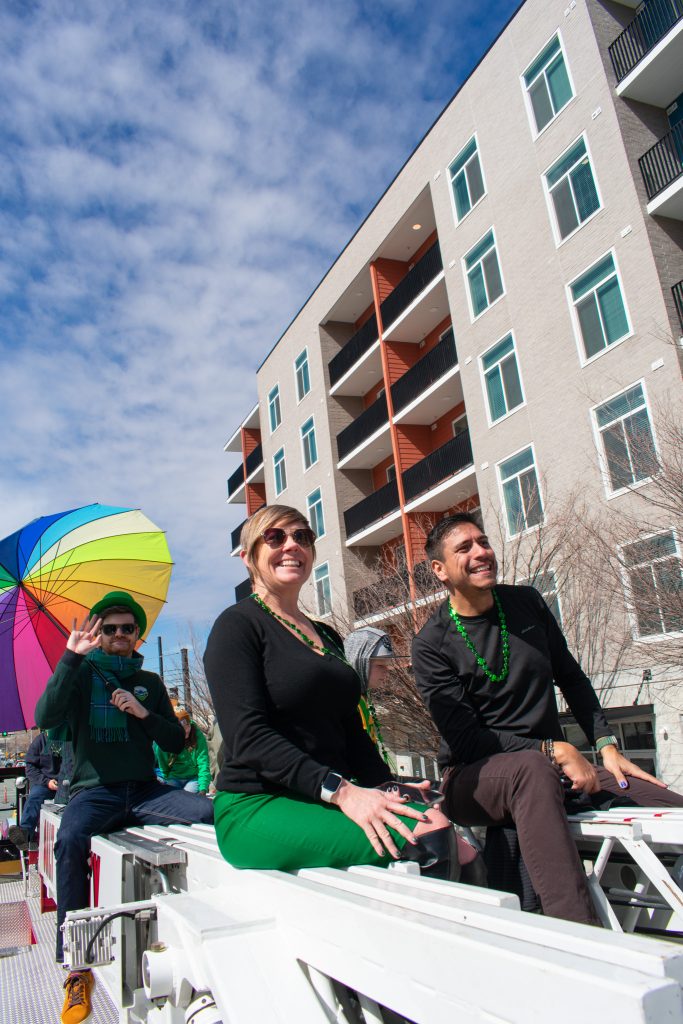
(107, 809)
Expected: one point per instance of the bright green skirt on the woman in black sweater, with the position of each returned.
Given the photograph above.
(286, 833)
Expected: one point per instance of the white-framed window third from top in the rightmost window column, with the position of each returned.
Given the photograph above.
(599, 307)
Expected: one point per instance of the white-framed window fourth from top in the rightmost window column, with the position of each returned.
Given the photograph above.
(627, 444)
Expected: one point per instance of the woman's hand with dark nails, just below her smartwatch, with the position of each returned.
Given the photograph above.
(375, 813)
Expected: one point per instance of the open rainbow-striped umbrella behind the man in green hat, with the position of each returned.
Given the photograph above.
(53, 572)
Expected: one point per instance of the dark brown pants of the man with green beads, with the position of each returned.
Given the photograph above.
(525, 790)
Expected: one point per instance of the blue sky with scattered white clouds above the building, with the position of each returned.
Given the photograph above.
(176, 179)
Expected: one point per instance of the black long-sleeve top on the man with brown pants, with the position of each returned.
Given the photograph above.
(477, 717)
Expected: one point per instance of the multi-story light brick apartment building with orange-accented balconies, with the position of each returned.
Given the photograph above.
(503, 324)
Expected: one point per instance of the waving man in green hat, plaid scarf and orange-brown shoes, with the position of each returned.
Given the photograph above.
(116, 712)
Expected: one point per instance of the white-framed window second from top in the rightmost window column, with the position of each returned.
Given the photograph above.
(572, 190)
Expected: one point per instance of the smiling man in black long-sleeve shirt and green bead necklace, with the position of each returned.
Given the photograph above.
(486, 664)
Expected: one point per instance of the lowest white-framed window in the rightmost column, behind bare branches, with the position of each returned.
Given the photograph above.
(655, 575)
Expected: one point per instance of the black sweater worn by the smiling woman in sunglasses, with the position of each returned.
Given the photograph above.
(288, 715)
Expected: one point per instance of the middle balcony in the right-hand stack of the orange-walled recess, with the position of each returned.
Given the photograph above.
(425, 391)
